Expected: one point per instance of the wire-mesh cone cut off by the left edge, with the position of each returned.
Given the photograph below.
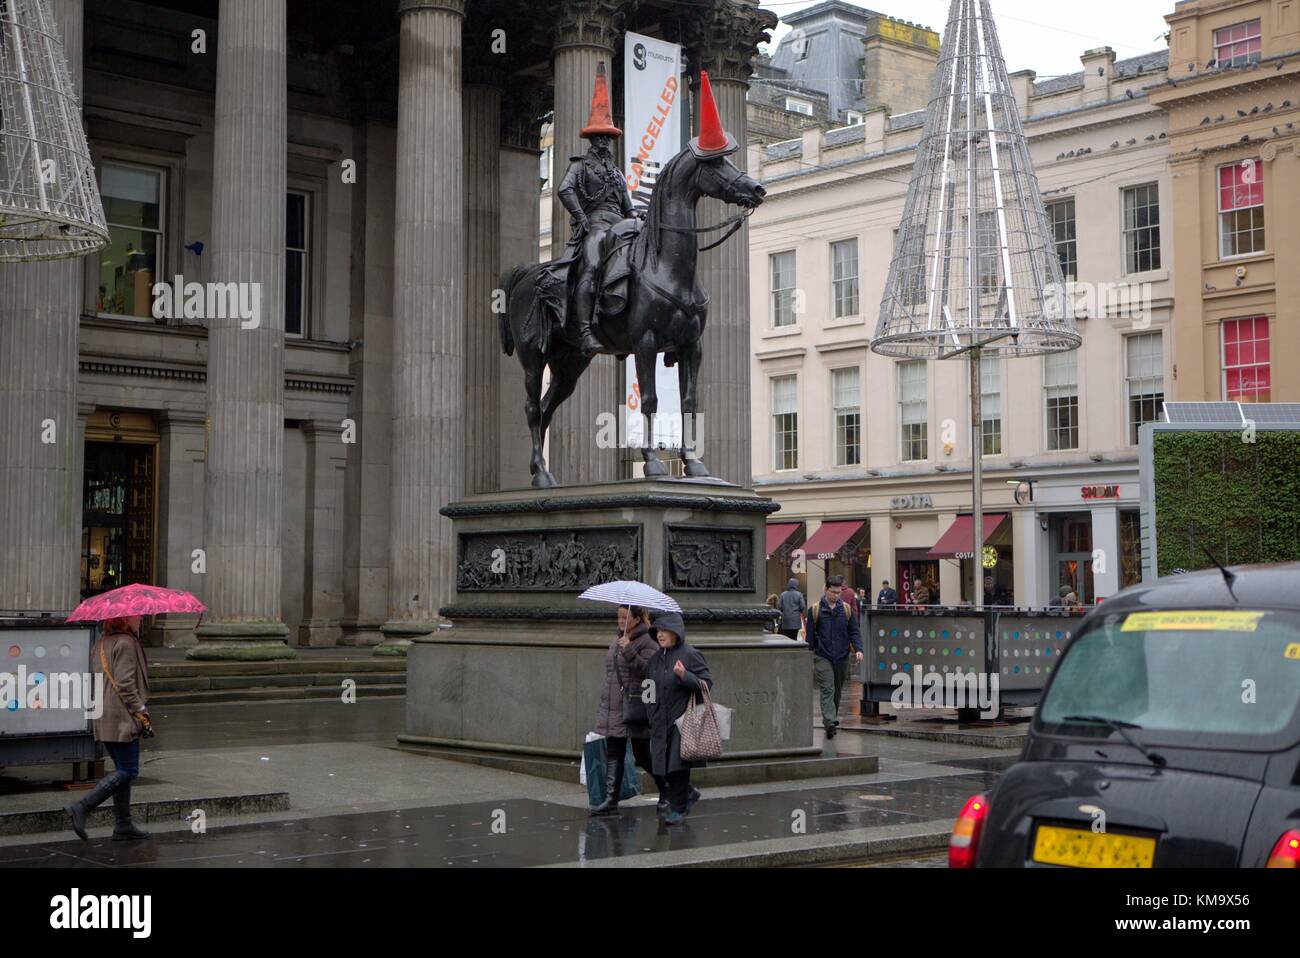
(50, 206)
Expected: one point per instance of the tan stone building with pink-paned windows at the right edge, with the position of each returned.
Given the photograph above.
(1234, 133)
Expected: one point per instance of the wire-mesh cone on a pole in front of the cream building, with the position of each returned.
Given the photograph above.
(976, 266)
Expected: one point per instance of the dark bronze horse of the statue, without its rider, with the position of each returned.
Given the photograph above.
(665, 309)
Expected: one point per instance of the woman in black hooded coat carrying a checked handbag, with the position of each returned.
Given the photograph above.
(678, 670)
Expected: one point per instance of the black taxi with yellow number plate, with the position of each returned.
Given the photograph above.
(1169, 736)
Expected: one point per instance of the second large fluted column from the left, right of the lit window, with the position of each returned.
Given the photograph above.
(246, 358)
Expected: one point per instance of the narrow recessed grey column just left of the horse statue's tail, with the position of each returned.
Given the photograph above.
(483, 276)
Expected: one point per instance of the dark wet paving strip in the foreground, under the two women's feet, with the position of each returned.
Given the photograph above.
(528, 833)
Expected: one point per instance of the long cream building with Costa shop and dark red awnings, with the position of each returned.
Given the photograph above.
(870, 458)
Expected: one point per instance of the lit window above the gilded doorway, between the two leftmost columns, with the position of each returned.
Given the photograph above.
(132, 262)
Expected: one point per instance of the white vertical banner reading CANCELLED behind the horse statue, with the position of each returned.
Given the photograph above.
(652, 81)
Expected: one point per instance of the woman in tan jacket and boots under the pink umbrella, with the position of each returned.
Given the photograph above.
(119, 658)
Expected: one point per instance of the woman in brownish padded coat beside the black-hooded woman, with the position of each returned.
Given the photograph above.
(623, 717)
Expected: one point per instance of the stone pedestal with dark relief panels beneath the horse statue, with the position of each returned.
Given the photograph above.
(521, 670)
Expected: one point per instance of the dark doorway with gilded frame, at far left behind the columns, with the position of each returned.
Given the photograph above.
(119, 502)
